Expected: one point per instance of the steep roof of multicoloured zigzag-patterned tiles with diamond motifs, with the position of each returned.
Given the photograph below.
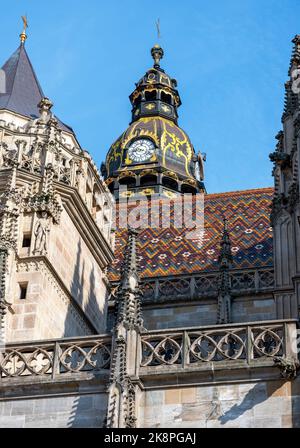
(167, 251)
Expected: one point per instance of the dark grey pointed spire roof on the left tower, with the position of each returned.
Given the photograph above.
(22, 88)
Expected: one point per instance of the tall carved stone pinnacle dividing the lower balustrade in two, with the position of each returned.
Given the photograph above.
(128, 324)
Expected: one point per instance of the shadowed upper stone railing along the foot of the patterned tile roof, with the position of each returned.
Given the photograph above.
(197, 286)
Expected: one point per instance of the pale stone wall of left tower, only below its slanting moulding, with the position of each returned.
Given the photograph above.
(47, 312)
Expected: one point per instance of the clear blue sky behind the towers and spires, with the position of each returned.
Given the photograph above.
(230, 58)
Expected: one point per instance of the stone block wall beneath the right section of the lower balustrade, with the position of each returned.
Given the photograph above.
(272, 404)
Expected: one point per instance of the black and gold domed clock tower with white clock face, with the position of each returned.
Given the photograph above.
(154, 156)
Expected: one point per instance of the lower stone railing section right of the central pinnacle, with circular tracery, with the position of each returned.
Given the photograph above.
(250, 342)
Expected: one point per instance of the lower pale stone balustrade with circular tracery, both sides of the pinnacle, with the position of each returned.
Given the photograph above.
(246, 345)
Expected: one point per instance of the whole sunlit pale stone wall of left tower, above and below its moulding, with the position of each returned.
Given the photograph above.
(59, 285)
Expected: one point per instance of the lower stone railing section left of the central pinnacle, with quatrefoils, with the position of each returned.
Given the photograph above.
(55, 358)
